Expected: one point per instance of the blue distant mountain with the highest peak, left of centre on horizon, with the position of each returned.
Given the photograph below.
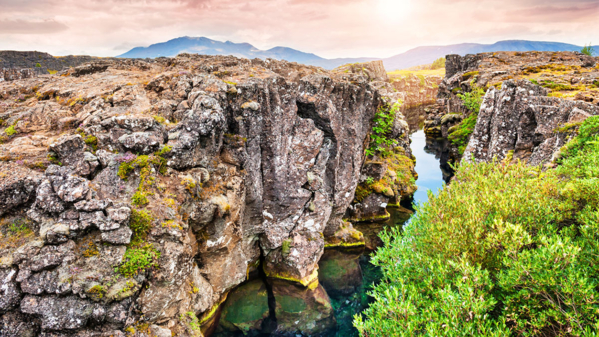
(205, 46)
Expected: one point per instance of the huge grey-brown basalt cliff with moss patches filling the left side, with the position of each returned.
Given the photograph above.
(145, 191)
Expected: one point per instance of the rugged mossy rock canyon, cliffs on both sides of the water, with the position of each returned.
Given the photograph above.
(213, 195)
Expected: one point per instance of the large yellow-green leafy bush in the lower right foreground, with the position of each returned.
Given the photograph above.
(507, 250)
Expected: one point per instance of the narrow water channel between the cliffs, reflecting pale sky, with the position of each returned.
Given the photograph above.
(347, 275)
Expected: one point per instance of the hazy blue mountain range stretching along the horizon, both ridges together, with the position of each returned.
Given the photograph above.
(412, 57)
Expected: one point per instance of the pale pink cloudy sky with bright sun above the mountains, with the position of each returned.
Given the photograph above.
(328, 28)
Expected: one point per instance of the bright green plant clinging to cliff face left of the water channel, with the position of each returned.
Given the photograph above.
(380, 143)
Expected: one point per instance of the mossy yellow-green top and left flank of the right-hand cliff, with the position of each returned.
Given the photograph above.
(569, 76)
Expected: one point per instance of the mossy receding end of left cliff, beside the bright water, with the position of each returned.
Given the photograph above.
(388, 175)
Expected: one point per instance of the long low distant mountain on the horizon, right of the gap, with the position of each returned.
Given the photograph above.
(426, 55)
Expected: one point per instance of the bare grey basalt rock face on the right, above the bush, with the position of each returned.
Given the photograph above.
(522, 119)
